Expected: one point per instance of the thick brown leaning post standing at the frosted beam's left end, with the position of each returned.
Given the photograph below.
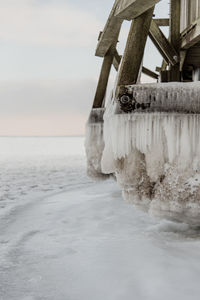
(134, 51)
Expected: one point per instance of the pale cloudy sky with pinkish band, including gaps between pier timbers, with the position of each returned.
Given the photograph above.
(49, 72)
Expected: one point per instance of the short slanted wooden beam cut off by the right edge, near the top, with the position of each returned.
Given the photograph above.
(191, 35)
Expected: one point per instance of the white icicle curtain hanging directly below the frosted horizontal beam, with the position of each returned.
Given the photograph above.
(177, 134)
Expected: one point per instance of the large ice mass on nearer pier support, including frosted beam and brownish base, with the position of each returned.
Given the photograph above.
(155, 153)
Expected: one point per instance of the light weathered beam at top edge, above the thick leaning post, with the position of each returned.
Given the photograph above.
(131, 9)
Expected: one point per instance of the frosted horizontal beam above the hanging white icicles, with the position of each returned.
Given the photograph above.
(168, 97)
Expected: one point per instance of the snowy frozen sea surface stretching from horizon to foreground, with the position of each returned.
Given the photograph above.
(65, 237)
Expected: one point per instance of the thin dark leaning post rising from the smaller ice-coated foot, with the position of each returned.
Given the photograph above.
(103, 78)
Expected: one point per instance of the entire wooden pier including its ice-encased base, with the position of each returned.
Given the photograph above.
(148, 135)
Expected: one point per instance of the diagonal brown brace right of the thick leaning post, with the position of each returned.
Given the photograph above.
(162, 44)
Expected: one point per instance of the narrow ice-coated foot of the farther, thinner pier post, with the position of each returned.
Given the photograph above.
(94, 143)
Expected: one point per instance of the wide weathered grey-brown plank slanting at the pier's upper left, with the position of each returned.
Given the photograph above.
(110, 34)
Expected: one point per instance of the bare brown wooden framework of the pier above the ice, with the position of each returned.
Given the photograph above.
(180, 51)
